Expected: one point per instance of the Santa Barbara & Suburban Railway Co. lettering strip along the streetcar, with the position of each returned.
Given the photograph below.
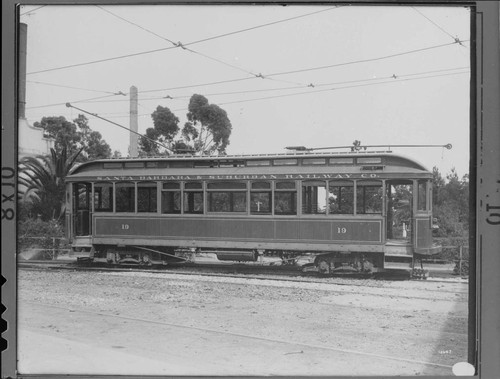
(236, 177)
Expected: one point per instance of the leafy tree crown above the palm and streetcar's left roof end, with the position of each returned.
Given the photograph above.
(75, 136)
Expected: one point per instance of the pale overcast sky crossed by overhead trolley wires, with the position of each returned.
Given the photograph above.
(297, 75)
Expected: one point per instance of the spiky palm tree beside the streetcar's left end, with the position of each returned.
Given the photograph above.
(42, 182)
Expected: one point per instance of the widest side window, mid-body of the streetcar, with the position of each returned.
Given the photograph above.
(229, 197)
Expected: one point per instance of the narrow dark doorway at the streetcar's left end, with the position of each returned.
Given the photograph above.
(82, 209)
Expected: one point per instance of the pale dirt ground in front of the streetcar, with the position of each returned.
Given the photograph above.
(137, 323)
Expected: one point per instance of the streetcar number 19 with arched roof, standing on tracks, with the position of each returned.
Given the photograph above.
(352, 212)
